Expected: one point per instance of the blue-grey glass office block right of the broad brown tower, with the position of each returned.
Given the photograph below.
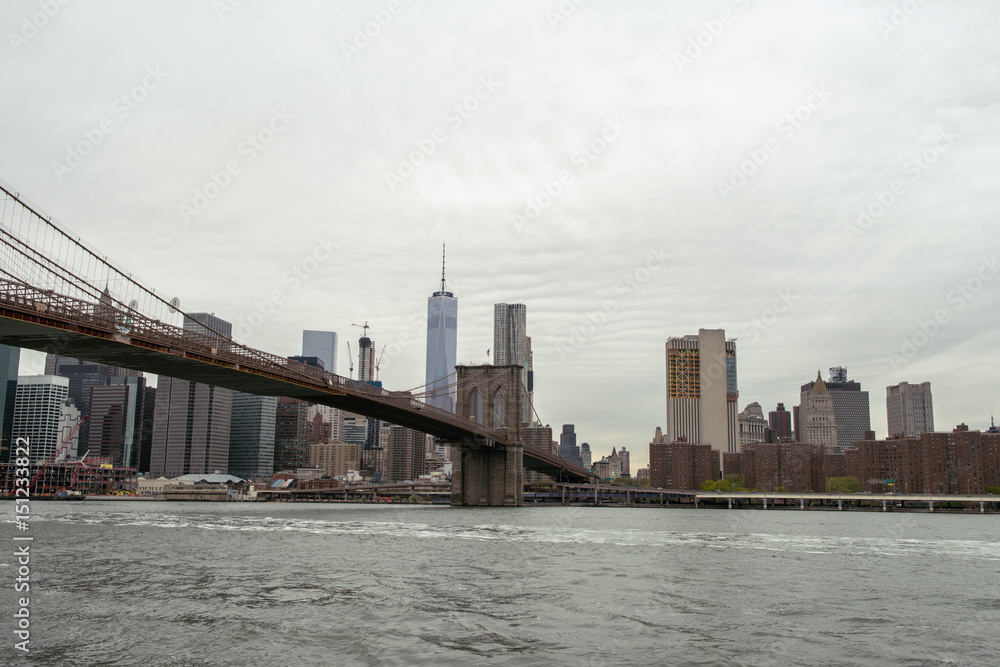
(251, 435)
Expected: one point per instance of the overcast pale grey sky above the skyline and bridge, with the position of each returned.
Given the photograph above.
(819, 179)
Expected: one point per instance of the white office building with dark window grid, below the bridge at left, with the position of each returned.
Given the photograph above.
(38, 411)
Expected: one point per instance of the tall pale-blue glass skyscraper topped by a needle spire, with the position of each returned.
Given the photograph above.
(442, 345)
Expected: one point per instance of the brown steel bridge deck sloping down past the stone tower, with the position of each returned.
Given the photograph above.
(48, 322)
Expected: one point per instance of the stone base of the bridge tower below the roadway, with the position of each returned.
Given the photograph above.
(488, 477)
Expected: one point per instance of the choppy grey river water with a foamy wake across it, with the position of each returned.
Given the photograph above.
(192, 584)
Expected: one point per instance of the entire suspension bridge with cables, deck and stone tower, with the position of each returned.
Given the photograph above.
(60, 295)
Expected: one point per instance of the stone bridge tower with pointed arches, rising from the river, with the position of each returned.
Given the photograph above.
(486, 472)
